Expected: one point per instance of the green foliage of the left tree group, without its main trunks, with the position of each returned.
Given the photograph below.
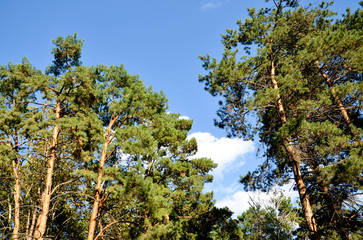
(151, 188)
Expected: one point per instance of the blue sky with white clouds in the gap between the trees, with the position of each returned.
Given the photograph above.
(160, 40)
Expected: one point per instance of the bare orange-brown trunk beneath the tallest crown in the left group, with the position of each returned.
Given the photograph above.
(46, 195)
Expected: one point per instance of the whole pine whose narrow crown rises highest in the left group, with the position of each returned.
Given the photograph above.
(68, 93)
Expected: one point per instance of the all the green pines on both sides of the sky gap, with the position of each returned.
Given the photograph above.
(90, 152)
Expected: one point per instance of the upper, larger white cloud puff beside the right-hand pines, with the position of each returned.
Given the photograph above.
(223, 151)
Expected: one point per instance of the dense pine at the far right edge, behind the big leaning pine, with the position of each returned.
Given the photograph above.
(331, 139)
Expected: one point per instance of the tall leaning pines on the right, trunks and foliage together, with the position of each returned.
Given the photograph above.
(311, 130)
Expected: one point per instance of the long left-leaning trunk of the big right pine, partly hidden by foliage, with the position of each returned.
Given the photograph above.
(296, 162)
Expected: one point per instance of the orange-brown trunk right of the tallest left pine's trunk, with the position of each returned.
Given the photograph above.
(98, 189)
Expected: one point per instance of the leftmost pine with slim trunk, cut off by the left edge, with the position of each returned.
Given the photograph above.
(16, 119)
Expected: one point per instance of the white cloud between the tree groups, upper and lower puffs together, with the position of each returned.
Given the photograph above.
(229, 153)
